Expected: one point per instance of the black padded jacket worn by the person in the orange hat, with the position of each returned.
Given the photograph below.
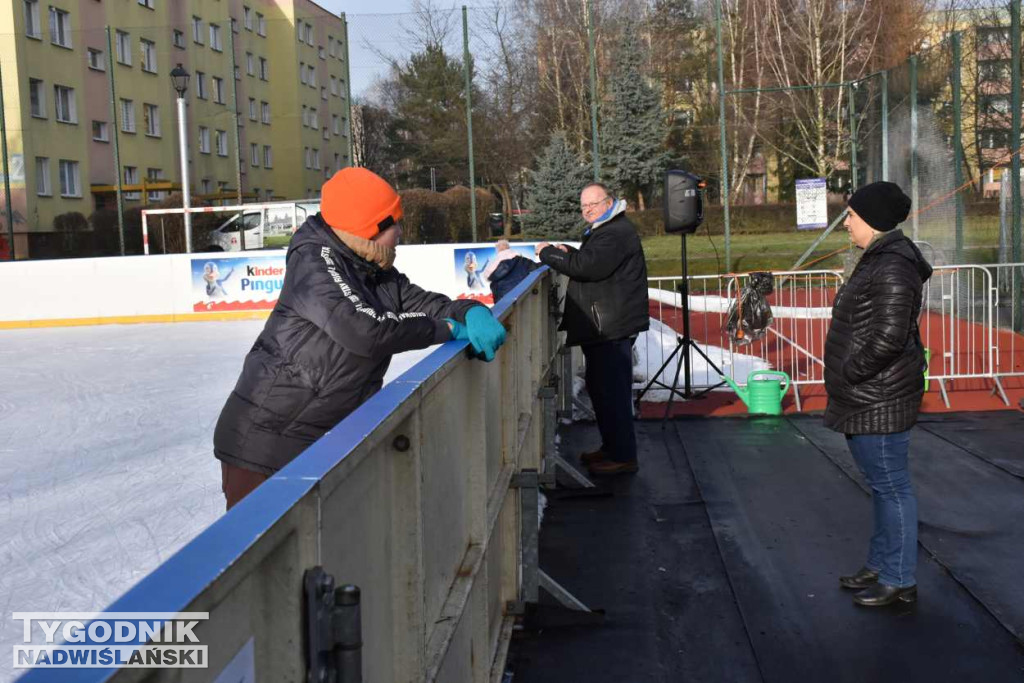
(325, 350)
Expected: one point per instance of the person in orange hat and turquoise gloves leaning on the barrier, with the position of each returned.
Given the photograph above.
(343, 314)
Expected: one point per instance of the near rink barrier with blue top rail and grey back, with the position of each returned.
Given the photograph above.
(430, 531)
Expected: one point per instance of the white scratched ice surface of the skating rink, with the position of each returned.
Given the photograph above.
(107, 454)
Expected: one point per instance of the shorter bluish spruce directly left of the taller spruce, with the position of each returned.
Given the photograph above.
(553, 196)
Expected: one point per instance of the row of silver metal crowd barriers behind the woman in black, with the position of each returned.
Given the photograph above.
(970, 323)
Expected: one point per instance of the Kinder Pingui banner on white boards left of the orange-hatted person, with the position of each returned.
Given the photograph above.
(237, 284)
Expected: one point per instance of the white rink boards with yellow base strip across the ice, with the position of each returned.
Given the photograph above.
(164, 288)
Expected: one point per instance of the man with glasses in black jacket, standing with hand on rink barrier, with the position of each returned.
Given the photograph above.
(606, 310)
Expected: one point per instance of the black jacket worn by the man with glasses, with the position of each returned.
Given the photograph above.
(608, 292)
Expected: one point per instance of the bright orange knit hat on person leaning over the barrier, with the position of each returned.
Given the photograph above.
(360, 202)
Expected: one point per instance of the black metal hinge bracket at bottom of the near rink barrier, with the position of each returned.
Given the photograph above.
(334, 631)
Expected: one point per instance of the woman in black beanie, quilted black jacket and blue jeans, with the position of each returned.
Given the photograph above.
(875, 364)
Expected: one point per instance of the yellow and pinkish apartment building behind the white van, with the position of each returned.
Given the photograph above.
(89, 81)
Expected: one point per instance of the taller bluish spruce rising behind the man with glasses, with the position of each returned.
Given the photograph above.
(634, 131)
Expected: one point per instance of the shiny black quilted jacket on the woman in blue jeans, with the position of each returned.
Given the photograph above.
(875, 361)
